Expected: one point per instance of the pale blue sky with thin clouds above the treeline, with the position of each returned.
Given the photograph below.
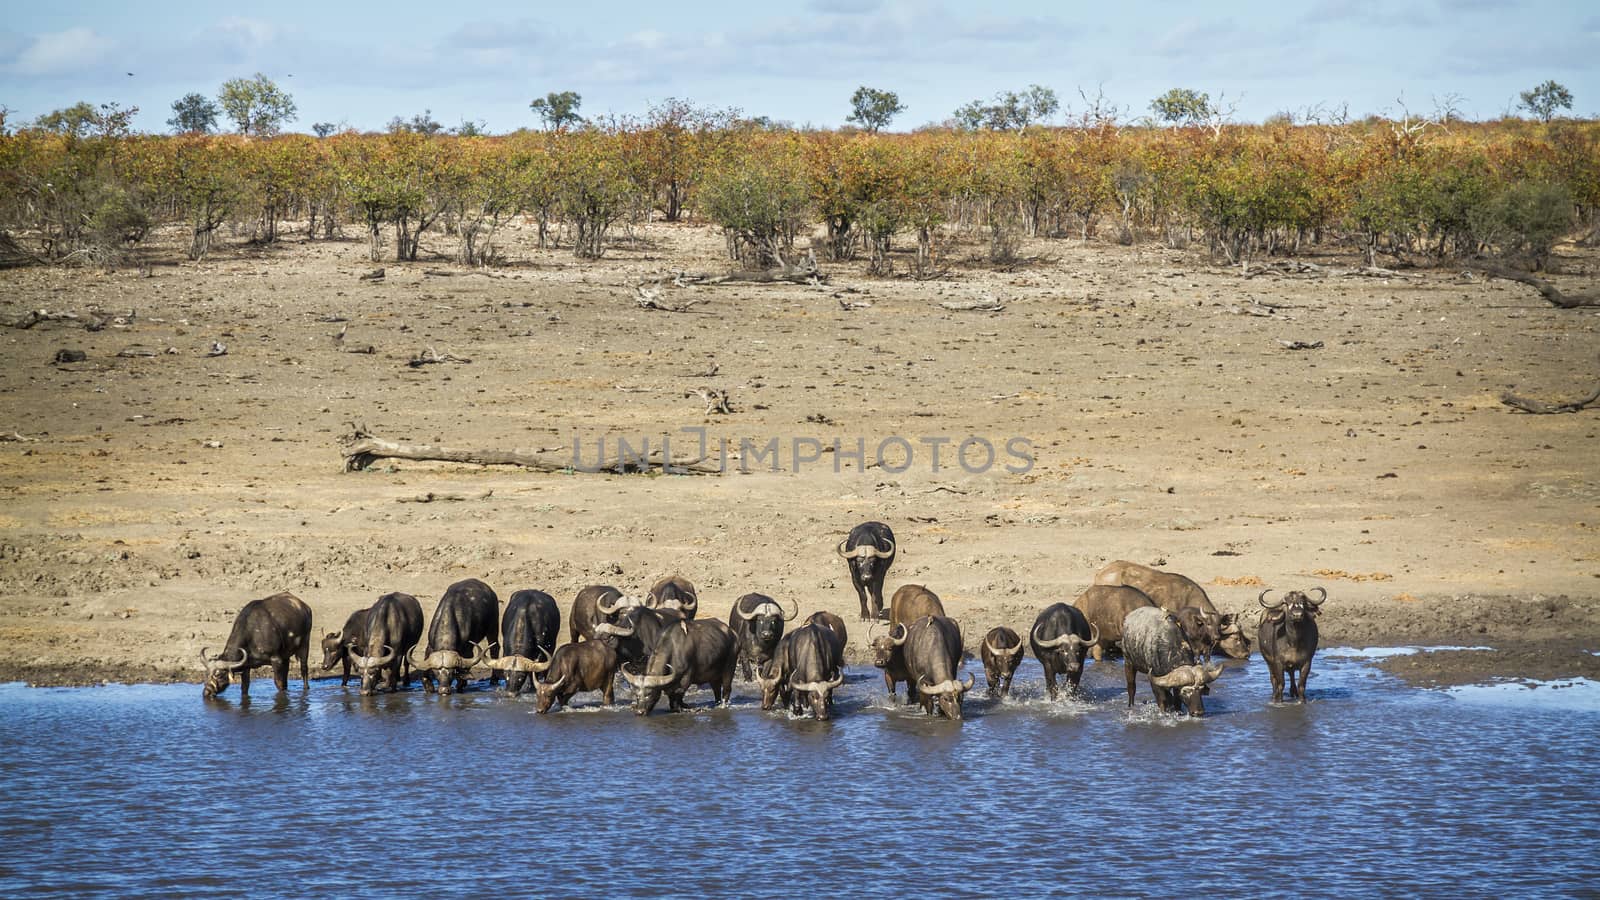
(361, 65)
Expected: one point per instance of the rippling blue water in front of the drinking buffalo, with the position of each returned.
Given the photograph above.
(1374, 789)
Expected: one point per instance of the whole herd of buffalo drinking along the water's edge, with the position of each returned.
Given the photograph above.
(1161, 624)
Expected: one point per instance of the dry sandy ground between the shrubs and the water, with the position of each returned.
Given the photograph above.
(151, 497)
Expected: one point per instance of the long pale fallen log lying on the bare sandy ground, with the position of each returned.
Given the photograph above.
(362, 449)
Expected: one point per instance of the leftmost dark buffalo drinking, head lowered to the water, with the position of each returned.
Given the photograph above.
(268, 632)
